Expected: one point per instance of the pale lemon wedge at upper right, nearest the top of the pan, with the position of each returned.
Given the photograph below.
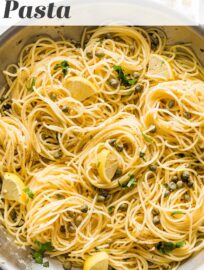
(159, 68)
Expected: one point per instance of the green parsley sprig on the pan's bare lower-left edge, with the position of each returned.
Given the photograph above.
(39, 254)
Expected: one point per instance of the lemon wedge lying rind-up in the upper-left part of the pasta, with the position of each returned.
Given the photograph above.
(80, 88)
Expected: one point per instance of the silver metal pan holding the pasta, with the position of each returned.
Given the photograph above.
(11, 43)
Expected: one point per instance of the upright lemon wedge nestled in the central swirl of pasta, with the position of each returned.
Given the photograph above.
(108, 164)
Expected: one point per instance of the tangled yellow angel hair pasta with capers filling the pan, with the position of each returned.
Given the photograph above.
(146, 131)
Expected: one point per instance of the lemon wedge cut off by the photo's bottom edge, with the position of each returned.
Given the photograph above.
(98, 261)
